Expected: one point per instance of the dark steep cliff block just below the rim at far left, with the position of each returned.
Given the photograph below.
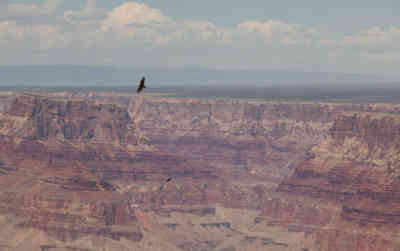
(73, 121)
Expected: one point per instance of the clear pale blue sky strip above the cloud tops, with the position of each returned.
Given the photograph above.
(339, 15)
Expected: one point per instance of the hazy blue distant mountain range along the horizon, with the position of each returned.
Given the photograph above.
(64, 75)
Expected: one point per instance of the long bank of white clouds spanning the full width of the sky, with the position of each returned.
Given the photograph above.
(109, 35)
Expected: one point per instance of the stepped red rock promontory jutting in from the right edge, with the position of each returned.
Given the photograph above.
(356, 167)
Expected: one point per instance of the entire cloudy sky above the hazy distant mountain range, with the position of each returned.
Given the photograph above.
(358, 36)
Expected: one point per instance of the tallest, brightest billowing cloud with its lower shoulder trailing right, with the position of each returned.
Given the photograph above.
(135, 23)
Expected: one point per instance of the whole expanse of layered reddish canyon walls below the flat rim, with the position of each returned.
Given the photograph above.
(84, 172)
